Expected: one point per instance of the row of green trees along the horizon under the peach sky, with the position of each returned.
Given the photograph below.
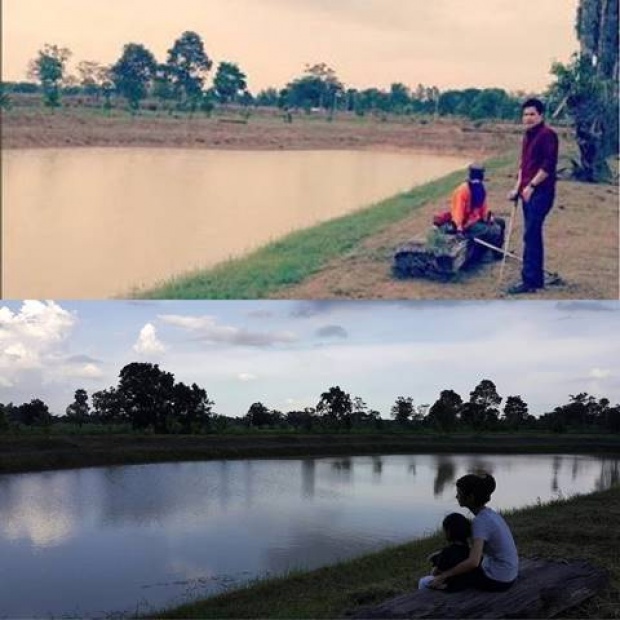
(178, 84)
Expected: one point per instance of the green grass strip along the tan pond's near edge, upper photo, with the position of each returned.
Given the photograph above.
(290, 260)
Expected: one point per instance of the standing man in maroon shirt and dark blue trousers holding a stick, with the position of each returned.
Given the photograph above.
(536, 186)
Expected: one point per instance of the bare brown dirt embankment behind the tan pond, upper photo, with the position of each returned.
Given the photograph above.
(33, 128)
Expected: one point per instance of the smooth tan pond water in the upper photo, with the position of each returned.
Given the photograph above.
(85, 223)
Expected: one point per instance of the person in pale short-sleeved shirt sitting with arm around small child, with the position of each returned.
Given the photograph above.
(493, 561)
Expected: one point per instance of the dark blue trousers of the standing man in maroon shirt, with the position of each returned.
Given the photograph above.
(534, 213)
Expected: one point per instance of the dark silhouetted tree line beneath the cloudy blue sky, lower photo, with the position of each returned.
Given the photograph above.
(149, 399)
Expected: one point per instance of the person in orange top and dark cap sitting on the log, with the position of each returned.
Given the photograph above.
(470, 212)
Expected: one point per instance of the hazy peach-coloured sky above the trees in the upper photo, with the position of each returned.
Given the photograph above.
(443, 43)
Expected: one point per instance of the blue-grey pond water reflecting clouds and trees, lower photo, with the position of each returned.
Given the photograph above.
(103, 540)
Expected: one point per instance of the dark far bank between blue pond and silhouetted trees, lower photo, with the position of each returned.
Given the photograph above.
(23, 453)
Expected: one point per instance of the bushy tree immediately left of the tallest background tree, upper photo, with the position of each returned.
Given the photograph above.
(133, 73)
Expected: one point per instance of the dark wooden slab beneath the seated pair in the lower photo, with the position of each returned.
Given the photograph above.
(543, 590)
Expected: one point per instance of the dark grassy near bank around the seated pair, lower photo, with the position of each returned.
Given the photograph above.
(554, 531)
